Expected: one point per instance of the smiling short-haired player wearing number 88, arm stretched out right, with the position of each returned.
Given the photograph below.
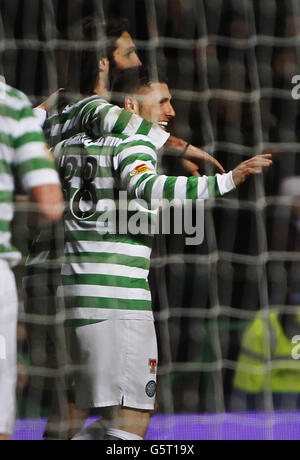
(105, 276)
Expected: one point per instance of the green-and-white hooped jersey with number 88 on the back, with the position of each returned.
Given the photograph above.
(106, 275)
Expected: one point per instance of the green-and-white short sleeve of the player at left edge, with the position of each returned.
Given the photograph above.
(32, 158)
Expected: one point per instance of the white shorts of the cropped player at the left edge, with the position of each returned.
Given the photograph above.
(8, 345)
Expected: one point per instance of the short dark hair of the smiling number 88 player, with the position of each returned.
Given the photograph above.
(129, 81)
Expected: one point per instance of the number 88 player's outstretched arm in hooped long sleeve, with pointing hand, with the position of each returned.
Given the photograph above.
(136, 163)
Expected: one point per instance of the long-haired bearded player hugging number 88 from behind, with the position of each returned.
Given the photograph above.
(96, 116)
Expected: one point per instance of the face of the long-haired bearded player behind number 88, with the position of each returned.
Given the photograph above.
(125, 55)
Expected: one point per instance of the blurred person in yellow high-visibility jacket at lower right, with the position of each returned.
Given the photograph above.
(268, 370)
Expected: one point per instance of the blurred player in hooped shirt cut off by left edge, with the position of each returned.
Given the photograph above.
(24, 157)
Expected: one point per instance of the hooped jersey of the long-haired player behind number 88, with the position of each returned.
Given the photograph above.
(94, 116)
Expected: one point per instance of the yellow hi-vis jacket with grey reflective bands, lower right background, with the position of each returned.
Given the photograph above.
(265, 362)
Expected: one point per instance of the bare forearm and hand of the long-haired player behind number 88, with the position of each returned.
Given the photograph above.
(193, 157)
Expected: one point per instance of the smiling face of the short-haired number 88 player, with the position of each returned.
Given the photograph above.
(155, 104)
